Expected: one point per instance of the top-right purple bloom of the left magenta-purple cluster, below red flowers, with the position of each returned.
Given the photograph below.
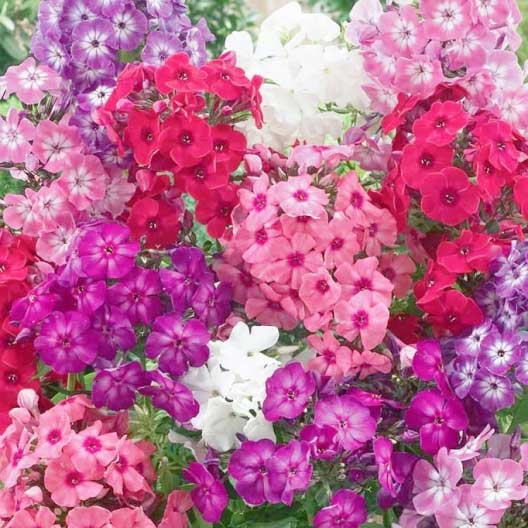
(188, 271)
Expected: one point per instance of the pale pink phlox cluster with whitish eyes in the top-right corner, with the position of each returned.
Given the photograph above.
(468, 43)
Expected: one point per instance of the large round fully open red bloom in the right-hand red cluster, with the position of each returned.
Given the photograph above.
(449, 197)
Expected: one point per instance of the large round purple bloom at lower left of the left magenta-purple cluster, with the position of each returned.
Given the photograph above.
(66, 342)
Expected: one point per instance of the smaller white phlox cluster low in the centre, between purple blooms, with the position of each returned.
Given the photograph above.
(232, 386)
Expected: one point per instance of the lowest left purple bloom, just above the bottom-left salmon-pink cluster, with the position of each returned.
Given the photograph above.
(117, 388)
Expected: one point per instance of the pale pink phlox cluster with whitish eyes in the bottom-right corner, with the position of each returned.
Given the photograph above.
(470, 484)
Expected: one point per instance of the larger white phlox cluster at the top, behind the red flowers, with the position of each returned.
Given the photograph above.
(307, 68)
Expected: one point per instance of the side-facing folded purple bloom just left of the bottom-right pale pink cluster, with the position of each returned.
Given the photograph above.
(393, 467)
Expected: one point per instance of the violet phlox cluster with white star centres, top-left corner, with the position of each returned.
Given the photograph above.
(86, 41)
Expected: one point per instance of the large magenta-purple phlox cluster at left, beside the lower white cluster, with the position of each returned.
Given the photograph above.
(88, 314)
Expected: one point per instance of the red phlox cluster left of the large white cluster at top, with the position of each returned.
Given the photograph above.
(179, 119)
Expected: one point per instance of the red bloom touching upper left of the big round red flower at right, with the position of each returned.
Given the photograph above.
(421, 159)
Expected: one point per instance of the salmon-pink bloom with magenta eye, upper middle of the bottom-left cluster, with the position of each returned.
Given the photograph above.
(91, 447)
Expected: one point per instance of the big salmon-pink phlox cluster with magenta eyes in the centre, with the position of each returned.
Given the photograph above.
(308, 247)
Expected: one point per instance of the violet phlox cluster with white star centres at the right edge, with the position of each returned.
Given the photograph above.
(491, 362)
